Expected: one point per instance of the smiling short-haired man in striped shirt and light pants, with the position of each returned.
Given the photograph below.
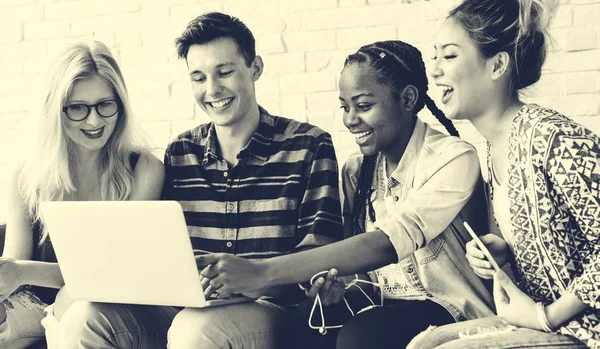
(250, 183)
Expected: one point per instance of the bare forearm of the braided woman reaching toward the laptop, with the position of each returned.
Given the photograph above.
(360, 253)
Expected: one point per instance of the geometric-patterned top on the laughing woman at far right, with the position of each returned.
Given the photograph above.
(554, 182)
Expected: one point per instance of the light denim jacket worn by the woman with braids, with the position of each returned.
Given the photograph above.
(433, 187)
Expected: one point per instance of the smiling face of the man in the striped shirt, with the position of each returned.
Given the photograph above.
(222, 83)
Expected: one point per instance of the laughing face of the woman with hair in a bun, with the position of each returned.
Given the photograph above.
(462, 73)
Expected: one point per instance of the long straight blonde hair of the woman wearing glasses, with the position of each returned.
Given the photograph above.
(47, 173)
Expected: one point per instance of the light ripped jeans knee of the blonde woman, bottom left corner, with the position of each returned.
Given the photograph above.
(21, 317)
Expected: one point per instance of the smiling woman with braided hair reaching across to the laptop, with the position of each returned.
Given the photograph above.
(406, 197)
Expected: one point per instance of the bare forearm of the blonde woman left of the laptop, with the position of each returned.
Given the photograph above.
(44, 274)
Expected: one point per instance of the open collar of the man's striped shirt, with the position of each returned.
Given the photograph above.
(259, 143)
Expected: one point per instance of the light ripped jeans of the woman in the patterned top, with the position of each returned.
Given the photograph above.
(491, 332)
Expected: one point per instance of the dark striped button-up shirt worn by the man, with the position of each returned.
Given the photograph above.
(281, 197)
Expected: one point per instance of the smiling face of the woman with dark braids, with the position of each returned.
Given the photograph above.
(372, 113)
